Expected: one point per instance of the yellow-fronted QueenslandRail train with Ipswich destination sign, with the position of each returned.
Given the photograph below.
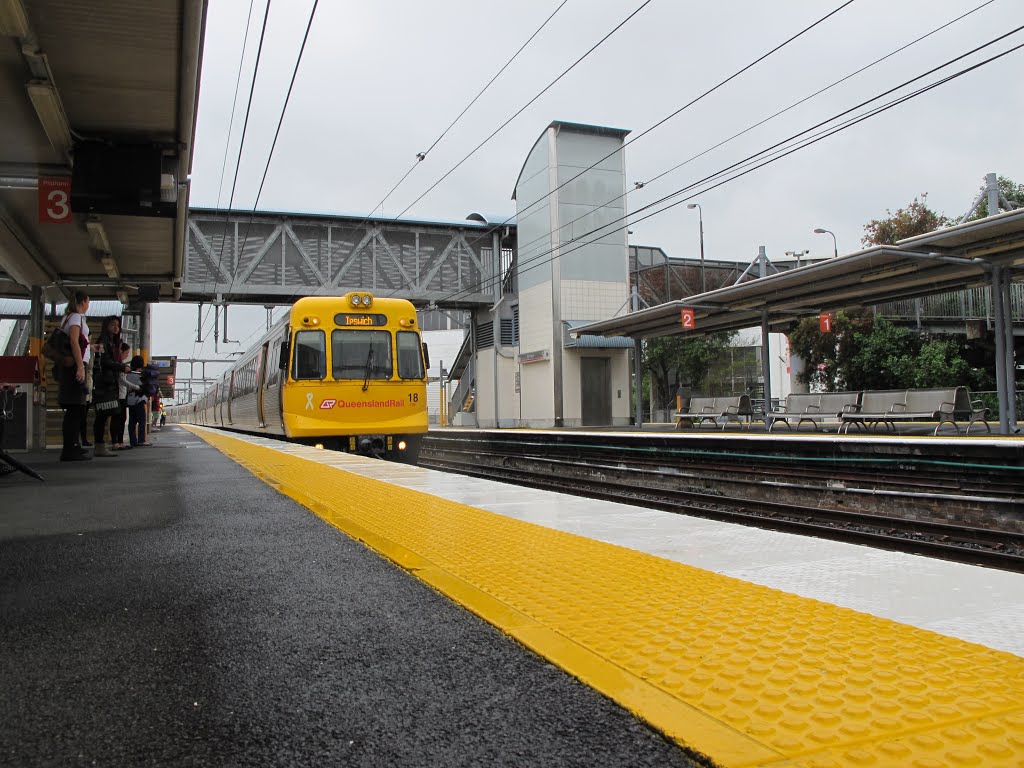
(347, 373)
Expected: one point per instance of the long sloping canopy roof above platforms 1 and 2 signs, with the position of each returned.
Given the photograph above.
(950, 260)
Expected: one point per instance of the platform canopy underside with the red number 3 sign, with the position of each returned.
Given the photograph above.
(92, 77)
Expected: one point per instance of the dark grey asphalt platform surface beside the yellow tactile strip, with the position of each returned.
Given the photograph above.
(165, 608)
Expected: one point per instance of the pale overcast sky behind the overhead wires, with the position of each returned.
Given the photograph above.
(380, 81)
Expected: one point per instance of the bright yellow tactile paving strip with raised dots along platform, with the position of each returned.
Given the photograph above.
(746, 675)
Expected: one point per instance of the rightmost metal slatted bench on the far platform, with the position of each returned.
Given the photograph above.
(890, 406)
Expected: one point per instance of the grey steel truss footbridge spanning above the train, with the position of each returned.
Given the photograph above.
(238, 258)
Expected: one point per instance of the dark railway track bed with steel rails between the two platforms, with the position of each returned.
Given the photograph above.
(645, 484)
